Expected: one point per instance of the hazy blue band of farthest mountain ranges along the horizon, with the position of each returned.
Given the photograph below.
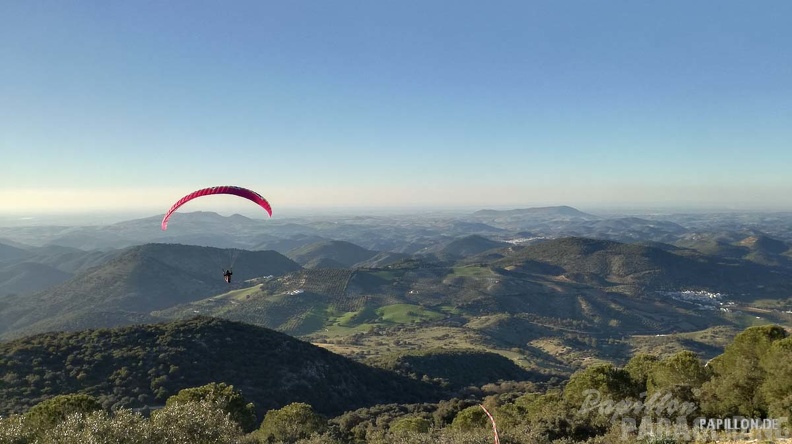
(407, 234)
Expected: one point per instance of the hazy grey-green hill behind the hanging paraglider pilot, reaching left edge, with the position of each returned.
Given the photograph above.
(134, 283)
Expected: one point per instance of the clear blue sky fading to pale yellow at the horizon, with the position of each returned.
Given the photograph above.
(366, 103)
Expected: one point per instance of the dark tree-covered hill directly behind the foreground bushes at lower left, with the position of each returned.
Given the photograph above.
(143, 365)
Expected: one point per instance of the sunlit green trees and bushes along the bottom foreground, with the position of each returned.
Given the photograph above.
(663, 396)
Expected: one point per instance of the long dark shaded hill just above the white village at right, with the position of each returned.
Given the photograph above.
(636, 268)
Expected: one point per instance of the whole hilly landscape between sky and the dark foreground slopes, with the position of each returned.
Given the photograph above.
(515, 283)
